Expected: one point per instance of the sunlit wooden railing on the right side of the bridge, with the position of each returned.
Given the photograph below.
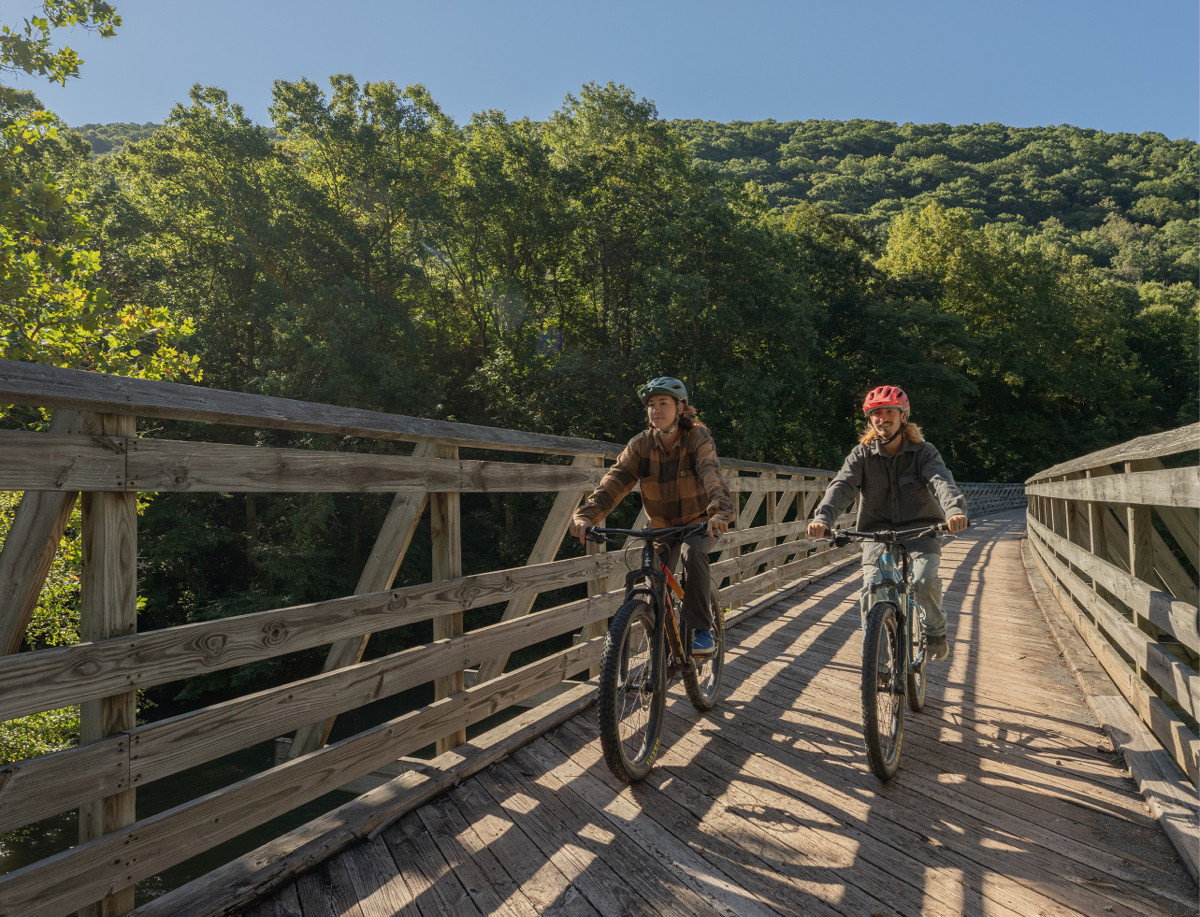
(1117, 537)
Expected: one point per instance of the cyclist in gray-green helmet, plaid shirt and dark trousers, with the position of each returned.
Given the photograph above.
(676, 462)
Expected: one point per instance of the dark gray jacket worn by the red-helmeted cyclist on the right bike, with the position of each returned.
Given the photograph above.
(913, 488)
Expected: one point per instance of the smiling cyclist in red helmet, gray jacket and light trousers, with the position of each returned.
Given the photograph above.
(904, 484)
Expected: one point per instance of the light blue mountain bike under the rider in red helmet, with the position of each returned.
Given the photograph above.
(893, 646)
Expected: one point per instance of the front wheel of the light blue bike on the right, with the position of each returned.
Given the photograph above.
(884, 709)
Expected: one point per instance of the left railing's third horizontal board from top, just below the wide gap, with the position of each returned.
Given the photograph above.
(52, 679)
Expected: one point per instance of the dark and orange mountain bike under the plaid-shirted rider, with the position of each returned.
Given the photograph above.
(646, 651)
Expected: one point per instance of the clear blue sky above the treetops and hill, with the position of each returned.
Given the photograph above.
(1113, 65)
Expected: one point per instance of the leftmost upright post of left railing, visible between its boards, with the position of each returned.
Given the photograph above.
(109, 608)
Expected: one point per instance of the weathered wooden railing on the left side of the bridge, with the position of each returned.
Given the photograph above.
(93, 448)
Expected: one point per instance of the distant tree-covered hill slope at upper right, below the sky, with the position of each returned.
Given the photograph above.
(1129, 202)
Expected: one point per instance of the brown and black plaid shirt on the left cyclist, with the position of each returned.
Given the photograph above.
(679, 488)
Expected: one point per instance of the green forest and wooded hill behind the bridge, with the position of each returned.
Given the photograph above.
(1034, 291)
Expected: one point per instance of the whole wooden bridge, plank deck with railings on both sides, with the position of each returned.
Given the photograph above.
(1039, 781)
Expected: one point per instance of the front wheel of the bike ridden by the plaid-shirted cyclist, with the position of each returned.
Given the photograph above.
(633, 693)
